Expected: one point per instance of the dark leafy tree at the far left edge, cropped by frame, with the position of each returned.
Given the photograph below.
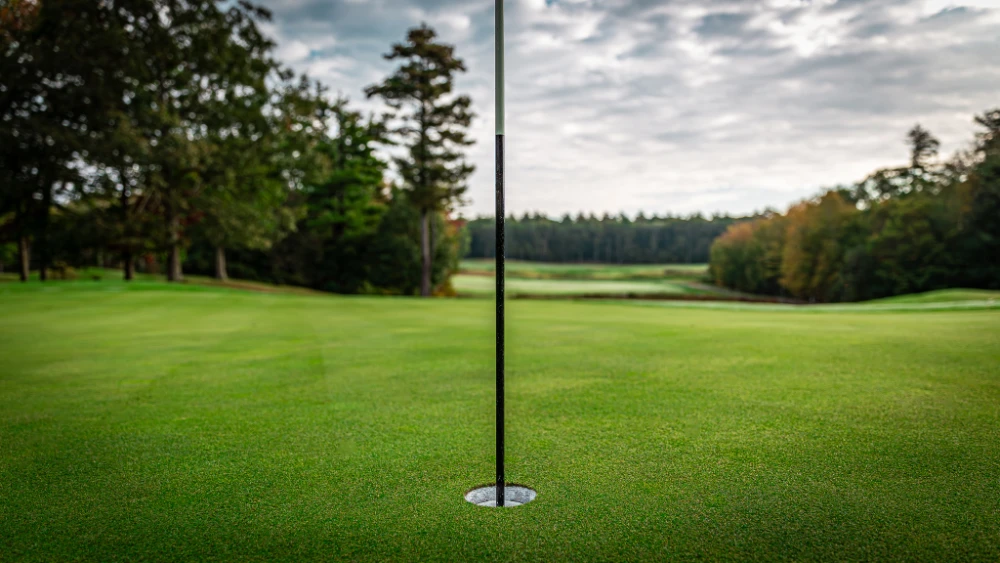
(50, 103)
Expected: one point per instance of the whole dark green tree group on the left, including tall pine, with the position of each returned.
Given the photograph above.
(157, 134)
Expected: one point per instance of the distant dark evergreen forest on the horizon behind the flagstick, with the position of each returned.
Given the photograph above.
(613, 240)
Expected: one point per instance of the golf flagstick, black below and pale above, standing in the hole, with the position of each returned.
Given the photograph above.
(499, 248)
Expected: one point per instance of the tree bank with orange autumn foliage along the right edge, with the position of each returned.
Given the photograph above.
(928, 225)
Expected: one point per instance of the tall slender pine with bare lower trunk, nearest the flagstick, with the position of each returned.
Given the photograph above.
(432, 124)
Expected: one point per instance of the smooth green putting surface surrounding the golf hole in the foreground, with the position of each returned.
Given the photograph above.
(154, 423)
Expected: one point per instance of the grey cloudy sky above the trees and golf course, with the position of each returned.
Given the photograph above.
(679, 105)
